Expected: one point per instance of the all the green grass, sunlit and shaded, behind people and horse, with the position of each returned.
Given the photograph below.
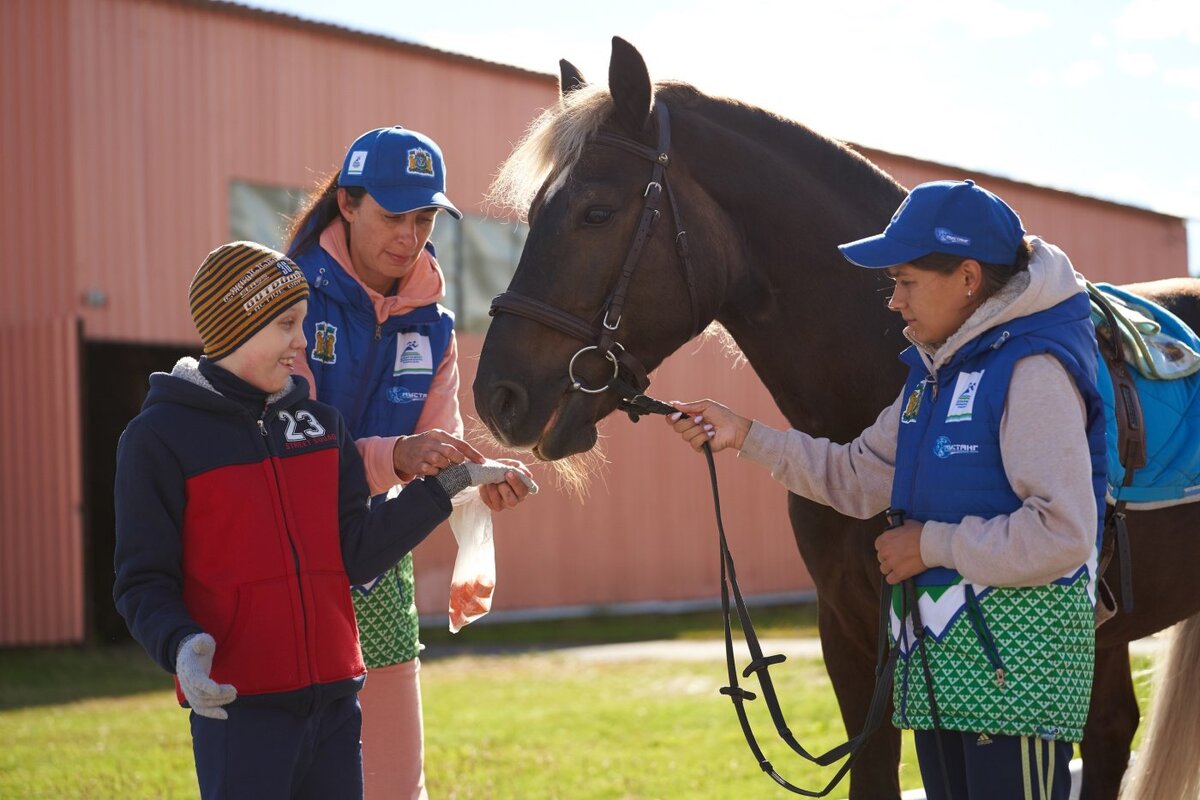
(104, 724)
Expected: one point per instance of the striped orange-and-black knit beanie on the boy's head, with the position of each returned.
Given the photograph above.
(239, 288)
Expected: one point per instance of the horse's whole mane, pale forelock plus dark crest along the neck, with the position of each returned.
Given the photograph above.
(555, 141)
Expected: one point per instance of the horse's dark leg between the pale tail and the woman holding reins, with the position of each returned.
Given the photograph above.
(1112, 723)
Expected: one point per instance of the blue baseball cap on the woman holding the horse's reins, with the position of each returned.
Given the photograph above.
(955, 218)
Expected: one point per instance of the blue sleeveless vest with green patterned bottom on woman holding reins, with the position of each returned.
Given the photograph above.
(1016, 661)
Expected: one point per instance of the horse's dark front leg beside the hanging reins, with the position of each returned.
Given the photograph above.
(842, 562)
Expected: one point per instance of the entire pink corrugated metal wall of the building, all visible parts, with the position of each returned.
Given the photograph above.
(125, 123)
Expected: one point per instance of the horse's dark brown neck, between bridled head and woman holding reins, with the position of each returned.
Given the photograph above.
(815, 329)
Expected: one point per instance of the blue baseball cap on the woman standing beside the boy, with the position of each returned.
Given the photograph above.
(403, 170)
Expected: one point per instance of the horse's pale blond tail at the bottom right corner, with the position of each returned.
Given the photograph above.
(1167, 767)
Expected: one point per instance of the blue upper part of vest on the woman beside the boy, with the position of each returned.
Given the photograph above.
(377, 376)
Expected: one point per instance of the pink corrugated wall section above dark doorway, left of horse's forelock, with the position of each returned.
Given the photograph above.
(197, 97)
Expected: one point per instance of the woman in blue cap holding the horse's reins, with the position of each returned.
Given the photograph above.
(993, 455)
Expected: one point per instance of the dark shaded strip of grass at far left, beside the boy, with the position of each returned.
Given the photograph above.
(32, 677)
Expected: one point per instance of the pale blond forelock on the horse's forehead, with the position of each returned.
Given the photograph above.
(550, 148)
